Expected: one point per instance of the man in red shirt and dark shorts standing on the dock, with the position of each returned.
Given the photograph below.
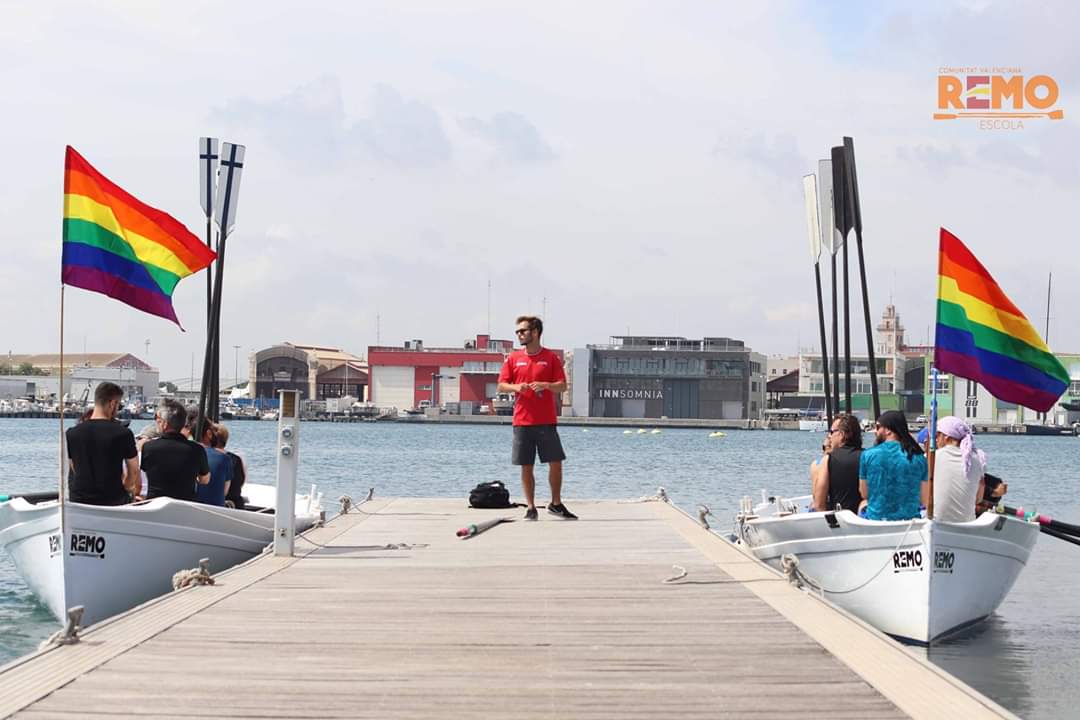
(535, 375)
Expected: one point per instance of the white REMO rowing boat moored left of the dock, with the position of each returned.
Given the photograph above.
(113, 559)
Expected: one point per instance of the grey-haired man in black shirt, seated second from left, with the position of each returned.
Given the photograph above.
(173, 464)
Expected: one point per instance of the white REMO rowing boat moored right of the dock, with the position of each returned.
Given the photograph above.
(915, 580)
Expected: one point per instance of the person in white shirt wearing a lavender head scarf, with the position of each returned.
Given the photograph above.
(958, 472)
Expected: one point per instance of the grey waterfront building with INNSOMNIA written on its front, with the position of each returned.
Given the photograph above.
(671, 377)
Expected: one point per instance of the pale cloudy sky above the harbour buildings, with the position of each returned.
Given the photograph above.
(626, 167)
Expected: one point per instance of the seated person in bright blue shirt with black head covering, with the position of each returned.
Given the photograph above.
(893, 476)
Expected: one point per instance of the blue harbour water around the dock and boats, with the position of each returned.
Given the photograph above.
(1028, 657)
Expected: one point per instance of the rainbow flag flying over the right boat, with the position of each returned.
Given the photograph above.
(982, 336)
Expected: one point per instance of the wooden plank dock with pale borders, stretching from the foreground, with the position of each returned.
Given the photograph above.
(541, 620)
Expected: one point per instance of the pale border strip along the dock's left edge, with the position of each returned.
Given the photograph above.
(30, 678)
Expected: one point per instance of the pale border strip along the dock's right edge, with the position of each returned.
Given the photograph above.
(917, 687)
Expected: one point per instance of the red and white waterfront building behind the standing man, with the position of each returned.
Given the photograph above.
(413, 375)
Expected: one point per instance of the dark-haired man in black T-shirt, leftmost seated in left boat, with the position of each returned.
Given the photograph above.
(102, 454)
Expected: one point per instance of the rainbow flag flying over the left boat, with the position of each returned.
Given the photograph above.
(118, 247)
